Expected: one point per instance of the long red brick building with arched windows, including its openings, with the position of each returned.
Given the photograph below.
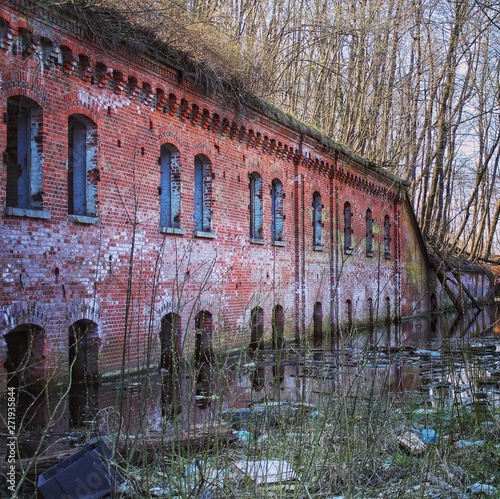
(140, 208)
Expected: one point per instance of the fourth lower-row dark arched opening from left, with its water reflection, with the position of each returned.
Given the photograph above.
(203, 358)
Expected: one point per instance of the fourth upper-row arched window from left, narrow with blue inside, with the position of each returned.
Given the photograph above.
(202, 194)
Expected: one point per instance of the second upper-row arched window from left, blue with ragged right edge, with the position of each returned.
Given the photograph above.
(83, 172)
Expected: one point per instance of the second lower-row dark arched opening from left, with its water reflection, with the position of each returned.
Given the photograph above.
(83, 355)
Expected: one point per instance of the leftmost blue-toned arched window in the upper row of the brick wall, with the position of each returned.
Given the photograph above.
(24, 154)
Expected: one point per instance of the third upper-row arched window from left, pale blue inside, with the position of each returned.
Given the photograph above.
(170, 187)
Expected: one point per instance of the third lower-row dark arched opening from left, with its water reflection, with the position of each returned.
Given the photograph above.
(170, 337)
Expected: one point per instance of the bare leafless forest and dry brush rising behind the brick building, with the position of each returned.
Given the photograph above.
(412, 85)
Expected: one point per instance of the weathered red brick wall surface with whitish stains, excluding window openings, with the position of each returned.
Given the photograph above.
(124, 274)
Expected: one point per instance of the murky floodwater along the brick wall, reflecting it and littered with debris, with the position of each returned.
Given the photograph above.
(447, 360)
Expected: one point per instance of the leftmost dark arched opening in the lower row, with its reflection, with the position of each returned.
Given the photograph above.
(24, 366)
